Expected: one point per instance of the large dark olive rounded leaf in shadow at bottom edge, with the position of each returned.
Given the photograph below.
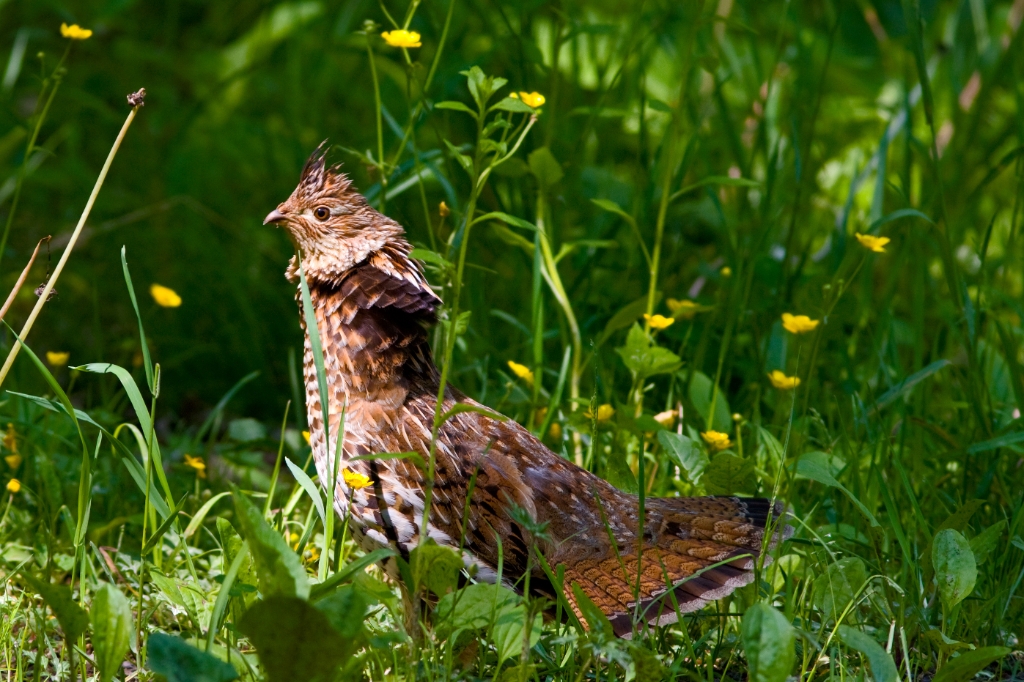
(294, 641)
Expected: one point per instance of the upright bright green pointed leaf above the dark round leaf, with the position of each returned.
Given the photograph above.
(280, 569)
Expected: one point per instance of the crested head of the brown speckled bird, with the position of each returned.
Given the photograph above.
(330, 223)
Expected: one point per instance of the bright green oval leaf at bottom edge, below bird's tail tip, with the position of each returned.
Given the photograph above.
(770, 643)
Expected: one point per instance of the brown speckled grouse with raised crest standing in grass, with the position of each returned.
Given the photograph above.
(498, 491)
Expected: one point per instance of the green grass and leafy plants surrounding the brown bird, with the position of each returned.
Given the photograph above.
(713, 164)
